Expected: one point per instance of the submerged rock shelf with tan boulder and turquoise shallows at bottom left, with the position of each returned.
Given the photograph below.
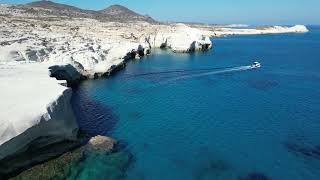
(86, 161)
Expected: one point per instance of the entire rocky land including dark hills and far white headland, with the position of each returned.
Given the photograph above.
(47, 48)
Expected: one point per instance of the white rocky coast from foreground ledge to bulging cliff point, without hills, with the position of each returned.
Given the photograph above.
(35, 105)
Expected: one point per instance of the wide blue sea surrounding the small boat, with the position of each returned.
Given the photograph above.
(183, 117)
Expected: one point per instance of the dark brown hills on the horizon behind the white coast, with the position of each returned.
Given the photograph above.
(117, 13)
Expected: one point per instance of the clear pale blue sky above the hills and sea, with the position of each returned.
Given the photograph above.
(252, 12)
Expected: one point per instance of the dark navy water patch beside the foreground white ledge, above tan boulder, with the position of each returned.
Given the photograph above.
(93, 117)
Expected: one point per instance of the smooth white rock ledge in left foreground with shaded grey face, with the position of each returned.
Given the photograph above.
(32, 104)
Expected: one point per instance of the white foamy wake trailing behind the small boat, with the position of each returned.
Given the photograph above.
(241, 68)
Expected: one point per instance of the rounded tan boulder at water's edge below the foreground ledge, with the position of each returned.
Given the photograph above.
(101, 144)
